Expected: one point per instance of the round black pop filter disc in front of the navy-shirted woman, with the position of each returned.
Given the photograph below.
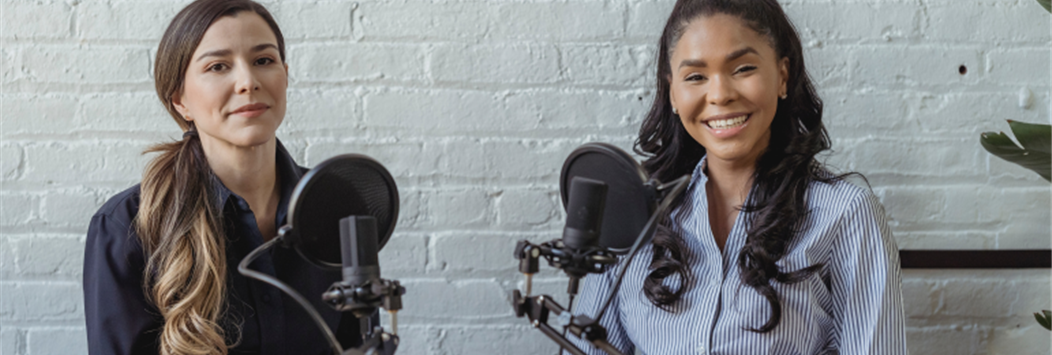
(345, 186)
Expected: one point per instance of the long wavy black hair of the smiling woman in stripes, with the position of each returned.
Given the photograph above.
(784, 171)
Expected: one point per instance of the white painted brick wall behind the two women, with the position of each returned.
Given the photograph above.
(474, 105)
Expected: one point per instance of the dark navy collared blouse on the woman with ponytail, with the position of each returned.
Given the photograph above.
(122, 321)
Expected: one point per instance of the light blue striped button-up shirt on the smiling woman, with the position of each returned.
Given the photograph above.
(854, 305)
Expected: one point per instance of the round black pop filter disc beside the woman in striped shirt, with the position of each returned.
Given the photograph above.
(630, 203)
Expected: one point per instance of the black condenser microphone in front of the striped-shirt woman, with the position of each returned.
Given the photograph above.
(584, 214)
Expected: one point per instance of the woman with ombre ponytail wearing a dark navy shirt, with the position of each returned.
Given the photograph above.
(161, 258)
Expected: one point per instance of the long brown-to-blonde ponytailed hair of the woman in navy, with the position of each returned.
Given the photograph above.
(179, 222)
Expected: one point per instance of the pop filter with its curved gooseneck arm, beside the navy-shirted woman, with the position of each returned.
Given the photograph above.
(338, 188)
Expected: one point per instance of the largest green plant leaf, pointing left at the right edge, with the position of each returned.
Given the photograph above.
(1037, 140)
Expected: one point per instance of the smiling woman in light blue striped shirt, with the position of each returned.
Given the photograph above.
(767, 252)
